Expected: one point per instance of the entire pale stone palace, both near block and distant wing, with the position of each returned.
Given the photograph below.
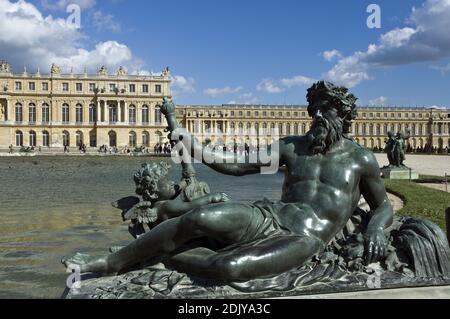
(56, 110)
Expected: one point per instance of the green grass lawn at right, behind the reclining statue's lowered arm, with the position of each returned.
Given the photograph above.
(420, 201)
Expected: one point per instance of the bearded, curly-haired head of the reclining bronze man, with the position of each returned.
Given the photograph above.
(333, 110)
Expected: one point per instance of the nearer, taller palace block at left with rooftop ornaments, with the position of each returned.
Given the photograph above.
(56, 110)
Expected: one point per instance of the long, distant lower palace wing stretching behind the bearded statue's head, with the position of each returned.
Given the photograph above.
(430, 127)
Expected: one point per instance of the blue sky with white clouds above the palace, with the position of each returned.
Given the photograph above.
(264, 52)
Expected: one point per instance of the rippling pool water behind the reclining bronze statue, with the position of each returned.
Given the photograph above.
(53, 207)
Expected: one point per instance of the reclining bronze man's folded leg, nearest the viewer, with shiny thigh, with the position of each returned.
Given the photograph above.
(269, 257)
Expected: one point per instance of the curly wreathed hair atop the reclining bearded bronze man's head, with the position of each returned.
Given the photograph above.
(325, 93)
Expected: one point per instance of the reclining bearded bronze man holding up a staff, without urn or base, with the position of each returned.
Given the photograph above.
(326, 174)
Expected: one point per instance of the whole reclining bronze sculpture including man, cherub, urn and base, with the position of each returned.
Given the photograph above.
(315, 233)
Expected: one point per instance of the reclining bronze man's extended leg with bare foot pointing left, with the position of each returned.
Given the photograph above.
(225, 222)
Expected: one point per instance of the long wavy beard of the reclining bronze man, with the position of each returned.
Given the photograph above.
(324, 133)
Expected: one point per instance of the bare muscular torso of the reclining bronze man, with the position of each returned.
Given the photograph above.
(322, 191)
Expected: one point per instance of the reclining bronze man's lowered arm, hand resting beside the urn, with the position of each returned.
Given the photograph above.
(374, 192)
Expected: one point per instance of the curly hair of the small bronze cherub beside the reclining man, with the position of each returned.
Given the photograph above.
(146, 179)
